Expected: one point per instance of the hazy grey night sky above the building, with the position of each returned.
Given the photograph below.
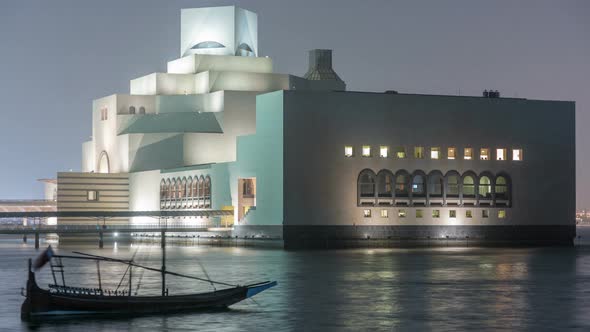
(57, 56)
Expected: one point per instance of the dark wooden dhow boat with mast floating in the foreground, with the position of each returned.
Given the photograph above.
(62, 300)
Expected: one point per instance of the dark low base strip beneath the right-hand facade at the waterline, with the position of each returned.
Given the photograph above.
(333, 237)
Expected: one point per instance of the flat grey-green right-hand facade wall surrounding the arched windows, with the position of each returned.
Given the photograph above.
(320, 183)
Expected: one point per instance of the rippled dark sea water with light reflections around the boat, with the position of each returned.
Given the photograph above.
(444, 289)
